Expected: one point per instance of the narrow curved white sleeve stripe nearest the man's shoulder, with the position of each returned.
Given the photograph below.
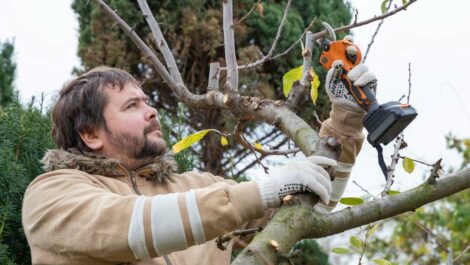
(136, 234)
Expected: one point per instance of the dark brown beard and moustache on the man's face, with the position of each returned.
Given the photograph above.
(138, 148)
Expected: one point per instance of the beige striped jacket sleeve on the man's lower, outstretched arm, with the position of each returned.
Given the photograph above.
(67, 211)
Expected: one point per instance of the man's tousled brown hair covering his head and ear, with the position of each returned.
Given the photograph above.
(79, 107)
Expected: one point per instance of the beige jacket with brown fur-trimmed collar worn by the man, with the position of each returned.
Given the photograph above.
(91, 210)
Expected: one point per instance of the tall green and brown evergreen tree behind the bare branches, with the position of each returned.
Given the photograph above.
(193, 30)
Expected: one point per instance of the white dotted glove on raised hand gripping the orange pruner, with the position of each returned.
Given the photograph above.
(359, 75)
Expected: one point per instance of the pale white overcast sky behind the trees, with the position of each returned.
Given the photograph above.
(432, 35)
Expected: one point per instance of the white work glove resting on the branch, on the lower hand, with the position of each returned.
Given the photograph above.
(297, 176)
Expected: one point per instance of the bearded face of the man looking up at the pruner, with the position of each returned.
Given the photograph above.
(132, 134)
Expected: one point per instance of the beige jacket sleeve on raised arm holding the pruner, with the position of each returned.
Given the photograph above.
(346, 126)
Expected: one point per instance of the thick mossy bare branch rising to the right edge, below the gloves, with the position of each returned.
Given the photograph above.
(299, 221)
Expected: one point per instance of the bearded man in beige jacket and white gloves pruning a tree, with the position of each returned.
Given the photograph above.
(111, 194)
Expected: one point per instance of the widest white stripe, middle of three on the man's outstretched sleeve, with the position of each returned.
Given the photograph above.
(167, 225)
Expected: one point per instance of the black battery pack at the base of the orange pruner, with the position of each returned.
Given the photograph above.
(384, 122)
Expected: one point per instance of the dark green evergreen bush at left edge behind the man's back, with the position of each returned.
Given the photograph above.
(24, 137)
